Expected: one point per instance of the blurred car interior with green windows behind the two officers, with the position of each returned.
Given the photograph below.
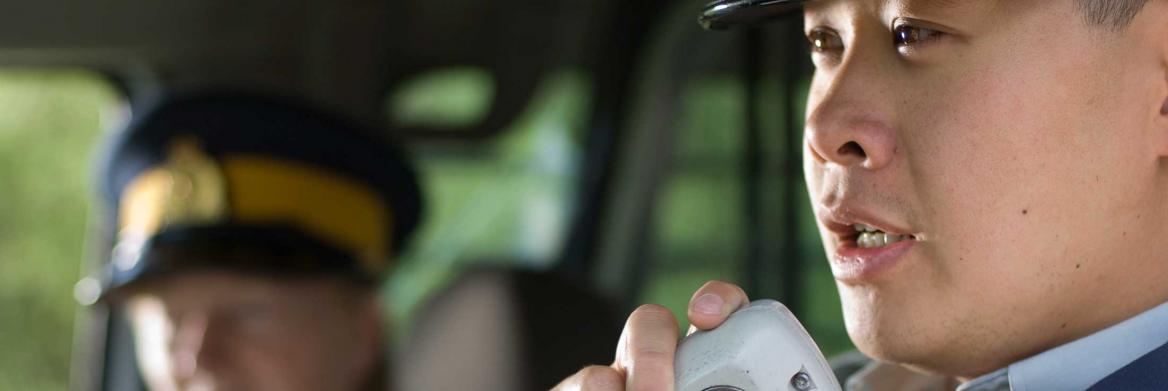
(579, 158)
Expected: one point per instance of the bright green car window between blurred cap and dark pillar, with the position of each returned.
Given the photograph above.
(504, 201)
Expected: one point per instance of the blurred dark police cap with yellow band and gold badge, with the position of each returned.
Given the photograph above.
(255, 184)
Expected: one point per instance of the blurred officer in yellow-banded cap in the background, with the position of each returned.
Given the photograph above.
(252, 238)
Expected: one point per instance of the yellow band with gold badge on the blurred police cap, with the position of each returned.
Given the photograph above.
(192, 190)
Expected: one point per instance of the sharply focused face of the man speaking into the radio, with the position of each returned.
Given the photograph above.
(1017, 149)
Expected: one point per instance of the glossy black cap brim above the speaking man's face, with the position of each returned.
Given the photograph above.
(724, 15)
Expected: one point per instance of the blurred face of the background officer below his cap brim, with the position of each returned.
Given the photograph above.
(218, 331)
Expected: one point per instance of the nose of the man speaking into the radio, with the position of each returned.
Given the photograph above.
(851, 117)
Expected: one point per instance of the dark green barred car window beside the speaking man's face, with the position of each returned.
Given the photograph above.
(708, 211)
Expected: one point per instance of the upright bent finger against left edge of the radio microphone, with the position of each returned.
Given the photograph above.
(646, 350)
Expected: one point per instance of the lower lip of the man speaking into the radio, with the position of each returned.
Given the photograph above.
(853, 264)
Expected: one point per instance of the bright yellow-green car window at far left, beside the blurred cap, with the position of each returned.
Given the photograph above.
(50, 124)
